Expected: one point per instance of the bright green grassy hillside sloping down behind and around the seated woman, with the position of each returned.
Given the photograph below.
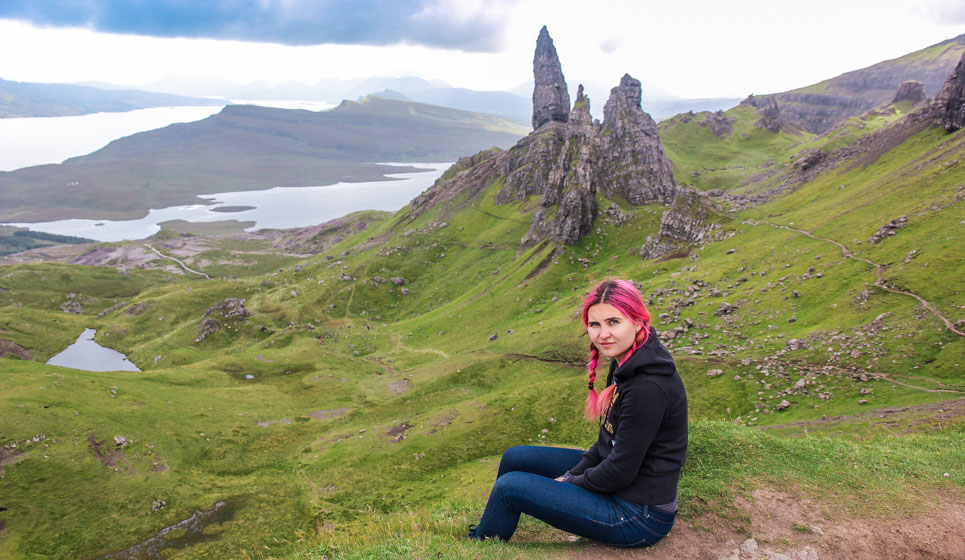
(360, 411)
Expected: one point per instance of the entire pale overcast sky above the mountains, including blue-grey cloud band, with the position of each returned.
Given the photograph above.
(690, 48)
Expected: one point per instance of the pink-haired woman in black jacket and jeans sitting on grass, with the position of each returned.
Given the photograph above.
(623, 491)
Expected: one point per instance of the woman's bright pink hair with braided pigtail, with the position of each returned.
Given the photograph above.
(627, 299)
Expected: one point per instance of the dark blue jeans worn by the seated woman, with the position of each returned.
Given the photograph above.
(525, 484)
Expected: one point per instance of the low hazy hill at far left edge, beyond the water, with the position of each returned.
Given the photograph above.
(20, 99)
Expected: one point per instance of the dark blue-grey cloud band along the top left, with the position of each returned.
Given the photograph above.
(293, 22)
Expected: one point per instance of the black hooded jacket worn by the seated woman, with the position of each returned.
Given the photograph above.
(643, 439)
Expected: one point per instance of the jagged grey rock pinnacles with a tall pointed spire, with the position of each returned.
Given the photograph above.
(571, 158)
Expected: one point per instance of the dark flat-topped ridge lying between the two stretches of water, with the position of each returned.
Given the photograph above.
(247, 148)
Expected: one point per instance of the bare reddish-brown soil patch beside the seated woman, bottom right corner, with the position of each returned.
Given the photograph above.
(771, 524)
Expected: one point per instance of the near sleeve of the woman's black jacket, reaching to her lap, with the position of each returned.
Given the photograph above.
(642, 410)
